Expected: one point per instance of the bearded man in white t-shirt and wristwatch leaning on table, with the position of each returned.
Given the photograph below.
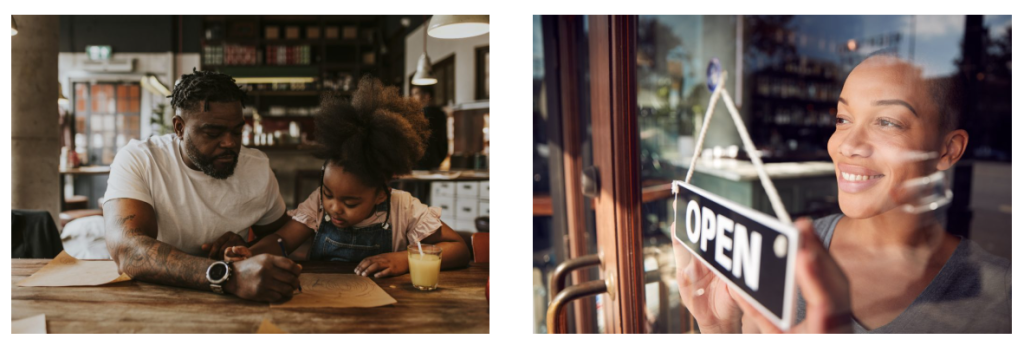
(174, 202)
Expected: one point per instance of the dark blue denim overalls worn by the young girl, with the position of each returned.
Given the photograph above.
(352, 245)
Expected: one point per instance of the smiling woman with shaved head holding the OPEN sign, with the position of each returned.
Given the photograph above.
(885, 265)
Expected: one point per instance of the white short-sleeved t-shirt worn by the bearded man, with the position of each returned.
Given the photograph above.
(192, 207)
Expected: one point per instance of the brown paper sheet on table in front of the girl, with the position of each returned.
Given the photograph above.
(337, 291)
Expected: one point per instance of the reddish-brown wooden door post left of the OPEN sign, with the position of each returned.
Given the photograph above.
(616, 145)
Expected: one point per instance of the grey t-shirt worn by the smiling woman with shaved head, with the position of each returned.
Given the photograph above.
(971, 293)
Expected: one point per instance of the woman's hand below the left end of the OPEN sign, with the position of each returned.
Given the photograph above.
(705, 295)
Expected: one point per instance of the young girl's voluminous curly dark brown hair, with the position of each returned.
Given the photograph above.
(376, 137)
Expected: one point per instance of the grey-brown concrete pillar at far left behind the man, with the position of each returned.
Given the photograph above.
(35, 144)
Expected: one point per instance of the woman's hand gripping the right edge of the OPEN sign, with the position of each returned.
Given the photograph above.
(824, 285)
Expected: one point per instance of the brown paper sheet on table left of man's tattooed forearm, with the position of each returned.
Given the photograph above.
(65, 271)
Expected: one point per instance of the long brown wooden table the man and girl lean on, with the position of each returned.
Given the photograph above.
(458, 305)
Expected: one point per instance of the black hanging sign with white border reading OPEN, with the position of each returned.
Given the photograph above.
(753, 252)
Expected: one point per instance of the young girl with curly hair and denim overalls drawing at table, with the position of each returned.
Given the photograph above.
(355, 216)
